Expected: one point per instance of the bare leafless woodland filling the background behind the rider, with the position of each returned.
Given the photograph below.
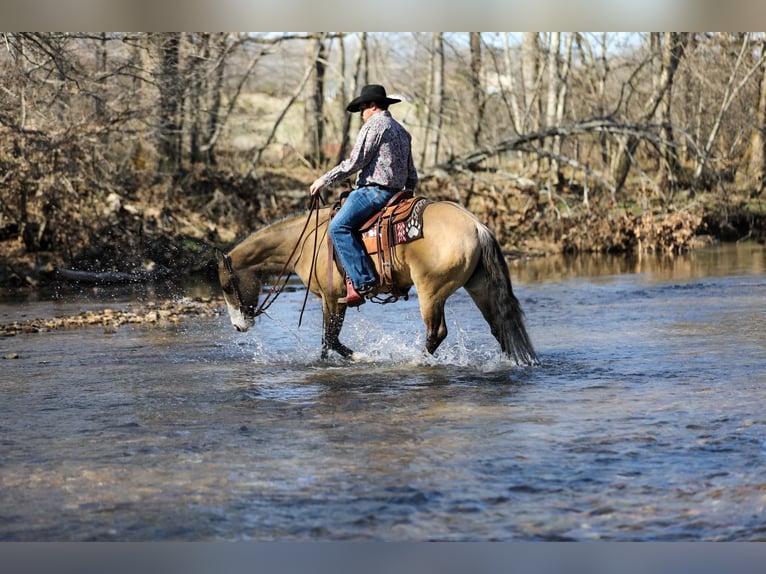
(87, 116)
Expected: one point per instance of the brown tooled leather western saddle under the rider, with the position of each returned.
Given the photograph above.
(400, 221)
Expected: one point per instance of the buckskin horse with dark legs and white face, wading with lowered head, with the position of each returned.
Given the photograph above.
(456, 250)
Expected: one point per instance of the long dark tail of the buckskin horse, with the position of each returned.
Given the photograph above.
(490, 288)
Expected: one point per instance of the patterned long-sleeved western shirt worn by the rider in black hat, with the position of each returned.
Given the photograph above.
(382, 155)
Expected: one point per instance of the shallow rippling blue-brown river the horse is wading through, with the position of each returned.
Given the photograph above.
(645, 421)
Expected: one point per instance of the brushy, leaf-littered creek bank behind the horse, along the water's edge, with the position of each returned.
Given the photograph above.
(142, 237)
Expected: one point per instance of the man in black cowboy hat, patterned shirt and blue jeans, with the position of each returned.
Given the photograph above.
(382, 155)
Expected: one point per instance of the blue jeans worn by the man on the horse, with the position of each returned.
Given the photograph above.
(359, 206)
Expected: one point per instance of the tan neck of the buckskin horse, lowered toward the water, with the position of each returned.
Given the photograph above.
(270, 247)
